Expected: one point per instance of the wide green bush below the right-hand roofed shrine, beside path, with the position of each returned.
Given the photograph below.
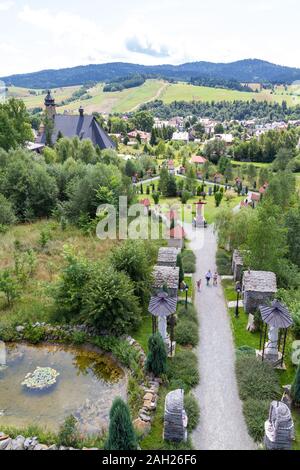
(256, 379)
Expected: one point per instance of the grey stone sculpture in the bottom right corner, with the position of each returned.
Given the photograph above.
(279, 429)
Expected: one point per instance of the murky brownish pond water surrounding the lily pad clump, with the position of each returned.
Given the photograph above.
(87, 384)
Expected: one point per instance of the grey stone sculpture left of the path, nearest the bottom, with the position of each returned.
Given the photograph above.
(175, 424)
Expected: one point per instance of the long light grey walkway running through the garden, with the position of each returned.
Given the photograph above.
(222, 425)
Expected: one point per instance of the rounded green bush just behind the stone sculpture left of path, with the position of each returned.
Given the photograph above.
(184, 367)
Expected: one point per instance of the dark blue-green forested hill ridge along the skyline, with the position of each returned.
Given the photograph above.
(250, 70)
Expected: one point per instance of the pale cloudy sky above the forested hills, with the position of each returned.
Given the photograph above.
(37, 35)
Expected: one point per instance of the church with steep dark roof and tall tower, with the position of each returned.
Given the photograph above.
(81, 126)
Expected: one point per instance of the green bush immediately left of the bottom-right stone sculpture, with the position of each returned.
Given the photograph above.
(256, 413)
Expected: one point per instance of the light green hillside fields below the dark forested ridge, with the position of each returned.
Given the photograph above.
(130, 99)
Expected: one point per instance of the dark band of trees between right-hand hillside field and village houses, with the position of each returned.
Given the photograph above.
(224, 110)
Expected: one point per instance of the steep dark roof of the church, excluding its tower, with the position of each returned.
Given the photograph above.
(84, 127)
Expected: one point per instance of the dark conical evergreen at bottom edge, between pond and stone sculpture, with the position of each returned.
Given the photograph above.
(121, 432)
